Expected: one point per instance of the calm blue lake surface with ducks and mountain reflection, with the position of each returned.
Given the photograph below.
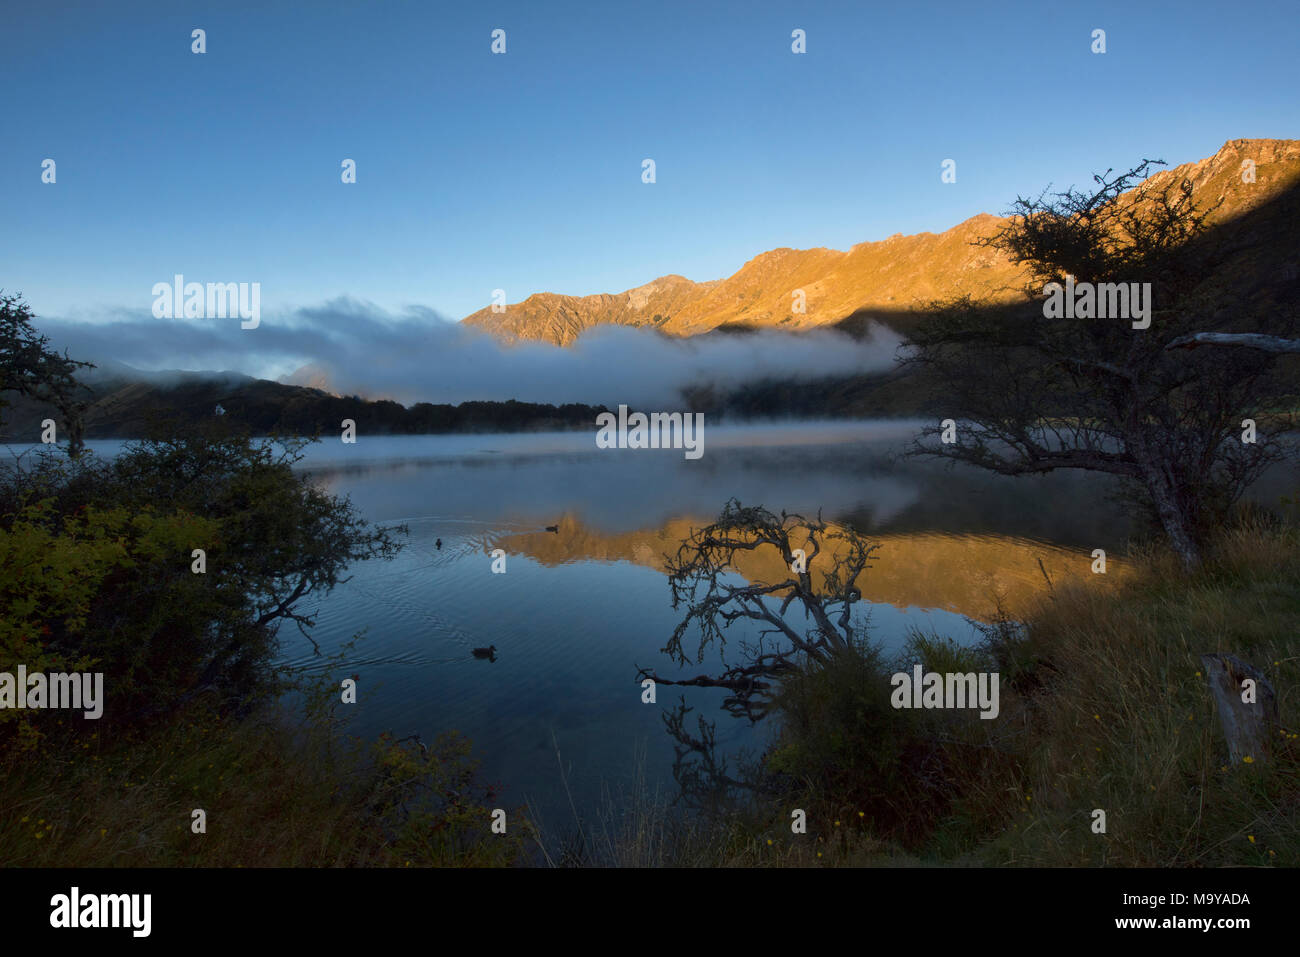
(558, 716)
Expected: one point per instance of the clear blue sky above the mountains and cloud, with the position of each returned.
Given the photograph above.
(523, 171)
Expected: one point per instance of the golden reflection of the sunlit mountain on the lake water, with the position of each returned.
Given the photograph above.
(967, 574)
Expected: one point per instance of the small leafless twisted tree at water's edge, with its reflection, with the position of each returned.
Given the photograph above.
(703, 577)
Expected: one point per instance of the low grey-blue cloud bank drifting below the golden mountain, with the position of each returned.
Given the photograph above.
(356, 348)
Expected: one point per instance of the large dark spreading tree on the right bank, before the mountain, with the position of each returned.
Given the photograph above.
(1035, 392)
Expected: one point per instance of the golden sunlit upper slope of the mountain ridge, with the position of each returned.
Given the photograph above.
(894, 275)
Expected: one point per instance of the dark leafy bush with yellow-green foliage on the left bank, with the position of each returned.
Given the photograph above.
(99, 569)
